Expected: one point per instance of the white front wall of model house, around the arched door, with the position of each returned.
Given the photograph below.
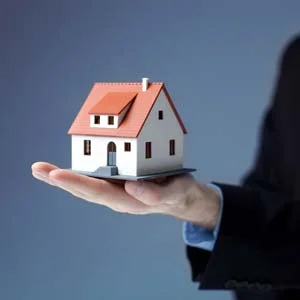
(125, 161)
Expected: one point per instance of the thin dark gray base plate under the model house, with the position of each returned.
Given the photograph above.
(137, 178)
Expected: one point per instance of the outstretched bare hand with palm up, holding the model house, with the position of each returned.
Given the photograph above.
(178, 196)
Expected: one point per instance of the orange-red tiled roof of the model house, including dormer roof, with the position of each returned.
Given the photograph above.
(136, 116)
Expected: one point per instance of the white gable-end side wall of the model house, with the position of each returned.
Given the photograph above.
(159, 132)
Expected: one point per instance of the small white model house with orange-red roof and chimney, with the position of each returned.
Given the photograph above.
(128, 129)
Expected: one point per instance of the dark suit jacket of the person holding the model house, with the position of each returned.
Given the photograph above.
(257, 251)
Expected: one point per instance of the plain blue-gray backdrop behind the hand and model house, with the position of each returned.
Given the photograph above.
(218, 59)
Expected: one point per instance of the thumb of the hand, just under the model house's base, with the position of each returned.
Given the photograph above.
(147, 192)
